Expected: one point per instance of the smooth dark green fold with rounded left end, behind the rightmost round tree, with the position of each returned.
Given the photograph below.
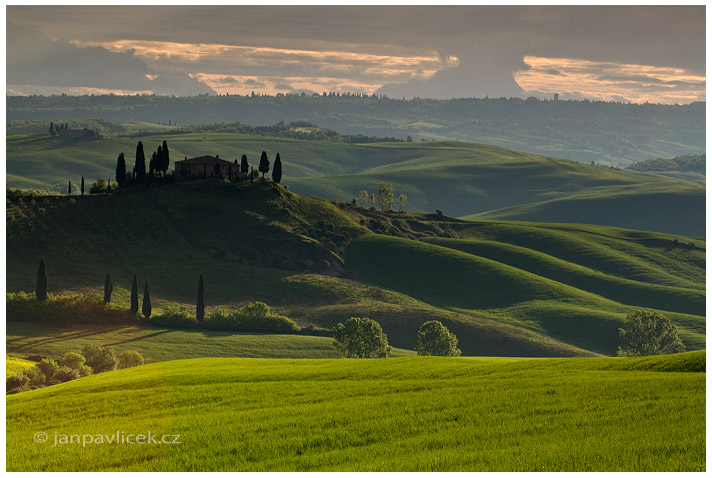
(494, 289)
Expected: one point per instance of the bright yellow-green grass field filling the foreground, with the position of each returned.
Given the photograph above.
(402, 414)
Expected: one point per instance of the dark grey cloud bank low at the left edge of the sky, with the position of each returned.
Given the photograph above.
(34, 59)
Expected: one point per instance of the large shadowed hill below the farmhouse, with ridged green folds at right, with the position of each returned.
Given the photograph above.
(504, 288)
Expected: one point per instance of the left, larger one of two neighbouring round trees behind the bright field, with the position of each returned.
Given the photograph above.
(361, 337)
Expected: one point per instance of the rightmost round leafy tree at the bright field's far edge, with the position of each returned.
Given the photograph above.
(648, 333)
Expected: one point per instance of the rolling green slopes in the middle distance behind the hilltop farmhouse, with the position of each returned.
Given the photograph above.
(457, 177)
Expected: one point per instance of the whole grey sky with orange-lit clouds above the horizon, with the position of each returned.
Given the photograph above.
(634, 54)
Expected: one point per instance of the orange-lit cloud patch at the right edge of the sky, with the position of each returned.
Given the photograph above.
(576, 79)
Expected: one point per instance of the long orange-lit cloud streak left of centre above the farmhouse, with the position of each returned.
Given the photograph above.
(244, 69)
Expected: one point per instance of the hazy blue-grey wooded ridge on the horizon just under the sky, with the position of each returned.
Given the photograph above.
(608, 133)
